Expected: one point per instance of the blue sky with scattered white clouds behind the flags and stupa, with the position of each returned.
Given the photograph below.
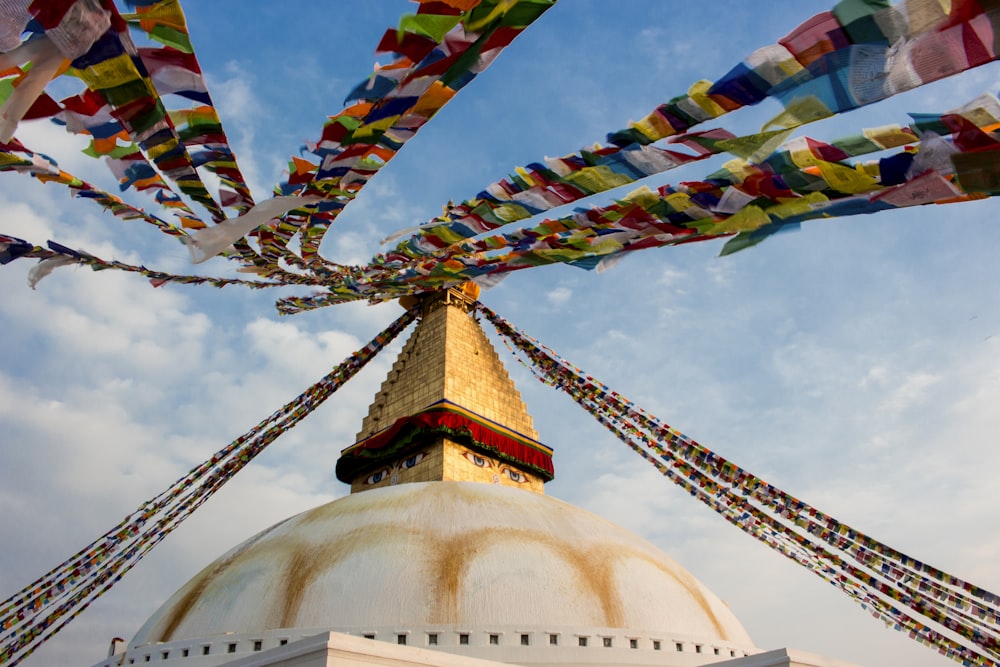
(855, 363)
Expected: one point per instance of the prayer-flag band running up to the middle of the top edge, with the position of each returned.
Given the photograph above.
(439, 50)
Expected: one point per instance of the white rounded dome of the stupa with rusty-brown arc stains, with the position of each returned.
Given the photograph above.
(450, 559)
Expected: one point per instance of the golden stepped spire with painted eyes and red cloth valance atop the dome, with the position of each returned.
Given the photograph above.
(447, 407)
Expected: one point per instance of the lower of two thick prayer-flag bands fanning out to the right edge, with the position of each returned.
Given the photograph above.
(803, 179)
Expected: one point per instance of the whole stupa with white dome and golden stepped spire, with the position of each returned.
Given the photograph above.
(447, 550)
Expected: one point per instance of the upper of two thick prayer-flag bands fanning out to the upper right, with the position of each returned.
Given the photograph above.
(833, 62)
